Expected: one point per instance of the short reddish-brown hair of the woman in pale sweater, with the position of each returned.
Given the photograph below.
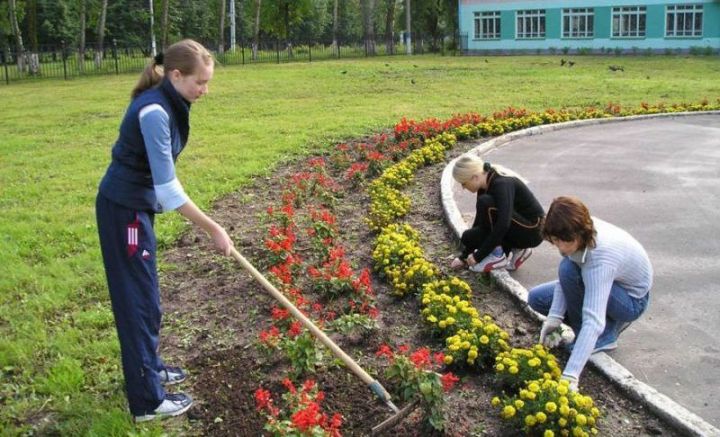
(569, 219)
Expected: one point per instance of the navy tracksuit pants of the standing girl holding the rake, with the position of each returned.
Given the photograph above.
(128, 245)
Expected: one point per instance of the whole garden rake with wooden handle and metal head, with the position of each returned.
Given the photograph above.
(373, 384)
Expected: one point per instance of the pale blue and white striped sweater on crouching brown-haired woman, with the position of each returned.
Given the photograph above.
(616, 257)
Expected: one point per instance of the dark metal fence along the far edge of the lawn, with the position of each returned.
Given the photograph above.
(70, 62)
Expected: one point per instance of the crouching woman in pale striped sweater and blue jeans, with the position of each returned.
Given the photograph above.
(603, 285)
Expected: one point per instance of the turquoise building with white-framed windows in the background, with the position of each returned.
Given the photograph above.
(592, 26)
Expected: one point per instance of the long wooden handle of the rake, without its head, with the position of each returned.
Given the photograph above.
(375, 386)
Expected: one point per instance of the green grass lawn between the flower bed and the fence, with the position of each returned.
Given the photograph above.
(59, 355)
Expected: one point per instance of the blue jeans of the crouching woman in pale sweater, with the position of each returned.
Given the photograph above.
(622, 308)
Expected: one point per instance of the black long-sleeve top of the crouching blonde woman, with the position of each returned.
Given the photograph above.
(512, 198)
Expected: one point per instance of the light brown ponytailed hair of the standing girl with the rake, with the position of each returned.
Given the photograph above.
(184, 56)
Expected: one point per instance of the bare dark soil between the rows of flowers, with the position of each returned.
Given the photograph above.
(214, 312)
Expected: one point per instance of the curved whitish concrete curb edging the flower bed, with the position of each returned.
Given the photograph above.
(670, 411)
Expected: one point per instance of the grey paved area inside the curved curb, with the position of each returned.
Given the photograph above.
(659, 179)
